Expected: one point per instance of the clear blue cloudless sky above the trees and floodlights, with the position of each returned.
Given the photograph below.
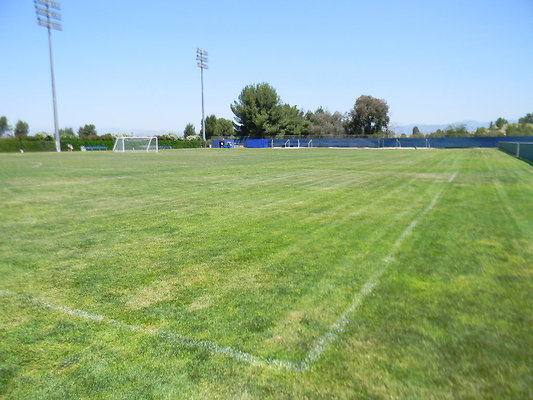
(128, 66)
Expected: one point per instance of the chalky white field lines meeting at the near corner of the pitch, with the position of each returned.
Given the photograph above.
(336, 329)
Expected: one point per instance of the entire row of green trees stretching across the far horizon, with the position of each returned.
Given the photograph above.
(260, 113)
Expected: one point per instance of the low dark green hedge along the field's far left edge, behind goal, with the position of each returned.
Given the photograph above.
(29, 143)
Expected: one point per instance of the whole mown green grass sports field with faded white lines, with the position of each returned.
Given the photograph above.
(266, 274)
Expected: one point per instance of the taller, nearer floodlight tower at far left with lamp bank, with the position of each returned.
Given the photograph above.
(50, 19)
